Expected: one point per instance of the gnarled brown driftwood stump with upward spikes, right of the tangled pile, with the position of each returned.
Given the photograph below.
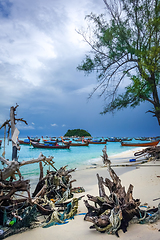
(113, 212)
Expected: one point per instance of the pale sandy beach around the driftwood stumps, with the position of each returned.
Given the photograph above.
(146, 181)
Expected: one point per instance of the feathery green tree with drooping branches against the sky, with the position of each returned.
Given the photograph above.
(125, 46)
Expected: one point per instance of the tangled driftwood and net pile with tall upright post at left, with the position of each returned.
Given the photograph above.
(18, 211)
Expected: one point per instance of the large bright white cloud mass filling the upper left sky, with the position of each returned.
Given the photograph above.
(39, 47)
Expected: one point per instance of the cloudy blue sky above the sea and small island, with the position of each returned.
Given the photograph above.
(40, 50)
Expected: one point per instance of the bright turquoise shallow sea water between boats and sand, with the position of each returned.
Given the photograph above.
(75, 157)
